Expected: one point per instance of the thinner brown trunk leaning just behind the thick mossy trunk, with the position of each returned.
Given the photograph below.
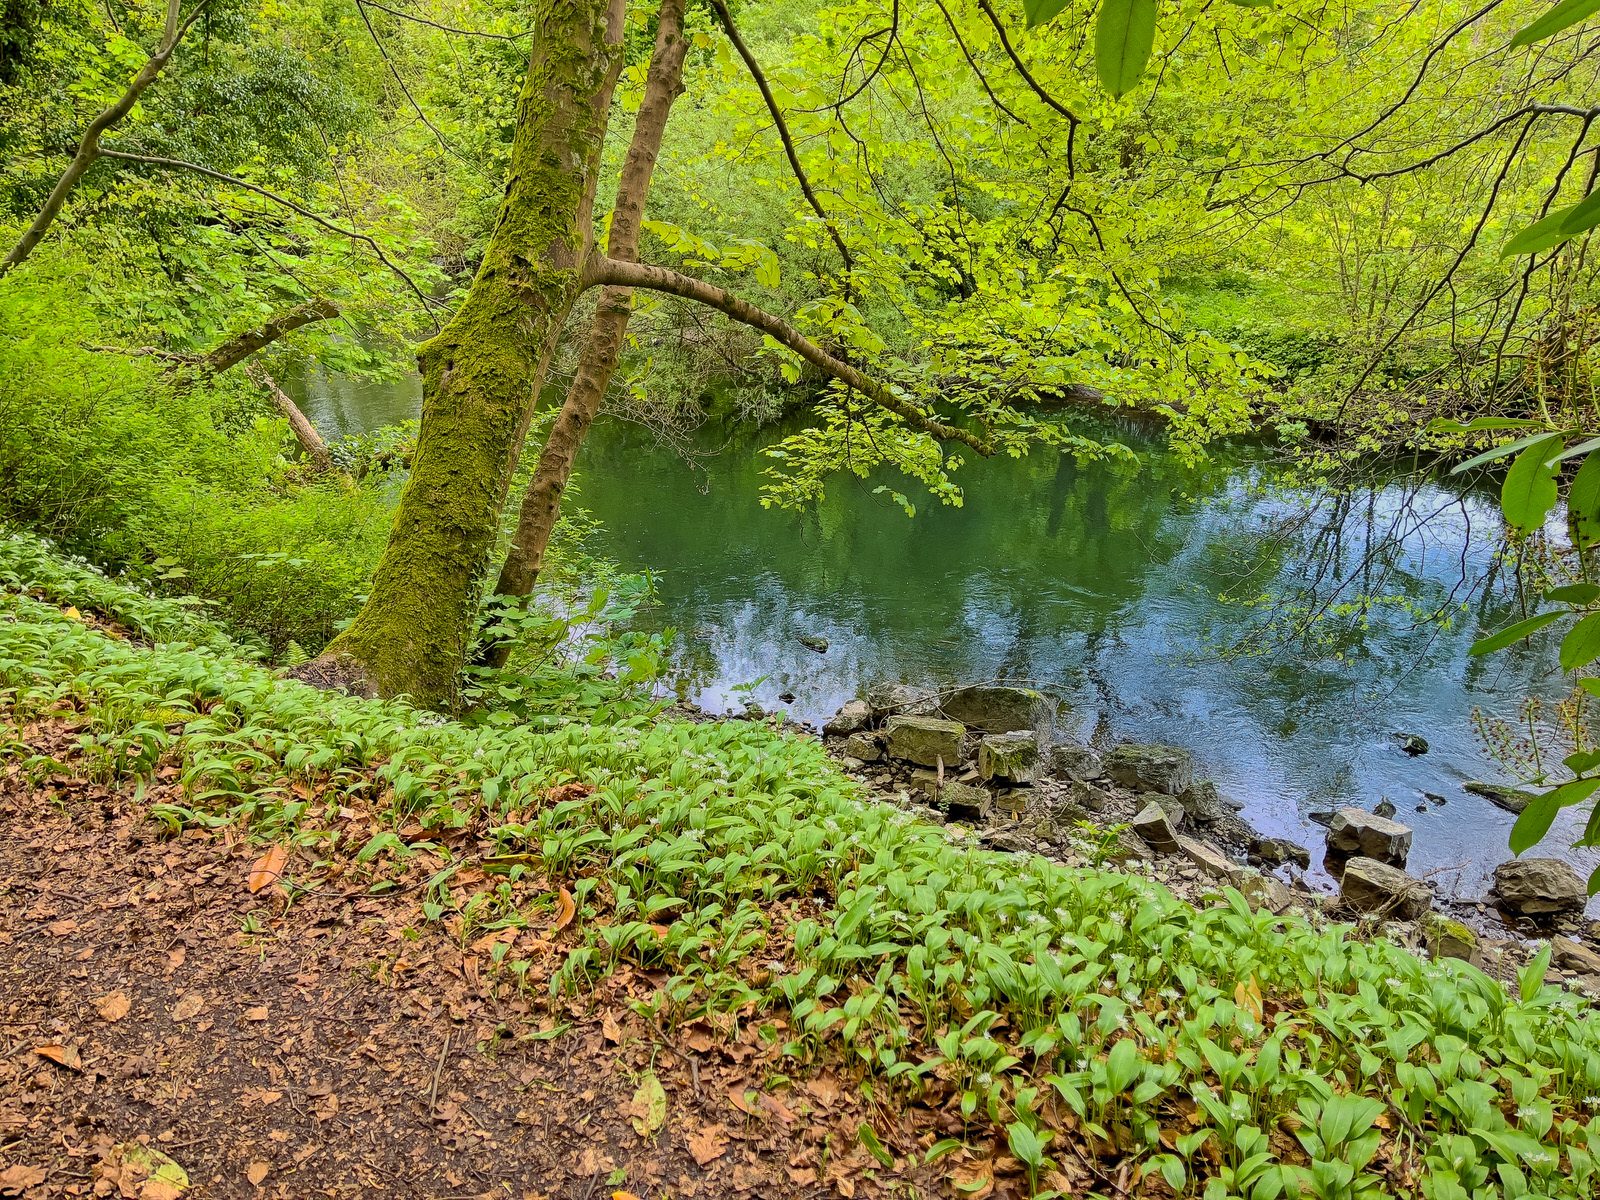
(543, 502)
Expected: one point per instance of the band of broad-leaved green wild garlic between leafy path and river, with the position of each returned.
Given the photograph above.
(1225, 1052)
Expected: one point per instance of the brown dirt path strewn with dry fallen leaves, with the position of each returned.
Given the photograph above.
(345, 1047)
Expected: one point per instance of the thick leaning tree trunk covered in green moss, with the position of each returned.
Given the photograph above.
(482, 372)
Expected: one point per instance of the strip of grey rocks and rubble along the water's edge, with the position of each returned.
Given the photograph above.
(988, 759)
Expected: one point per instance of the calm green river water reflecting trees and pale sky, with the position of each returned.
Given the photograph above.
(1162, 604)
